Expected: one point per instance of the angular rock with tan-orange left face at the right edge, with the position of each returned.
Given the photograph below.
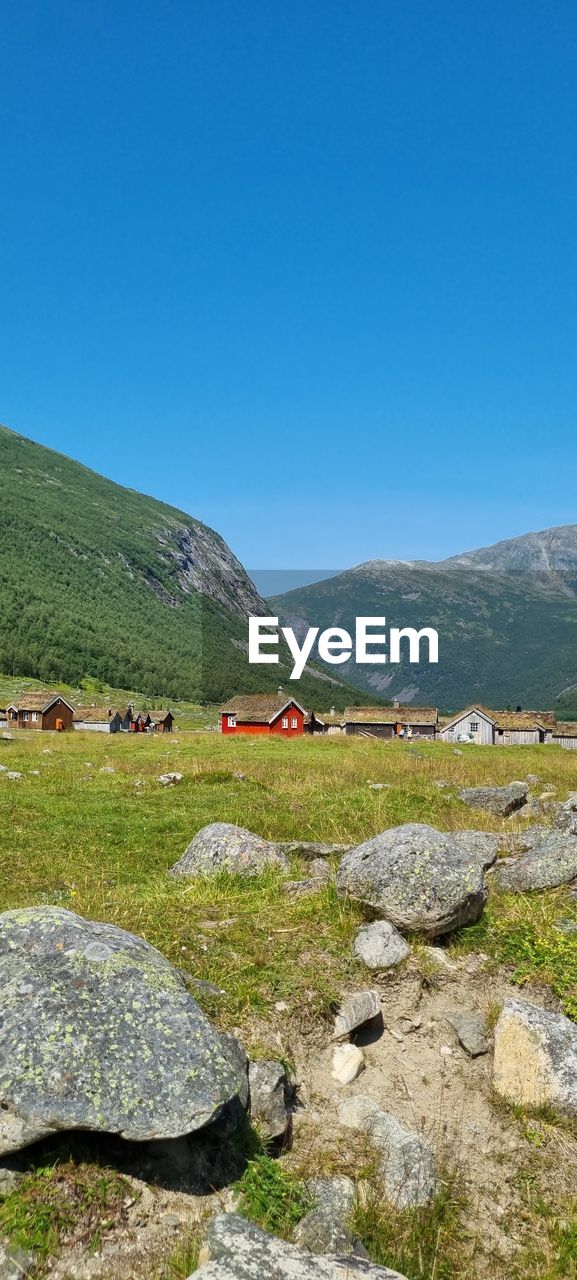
(537, 1058)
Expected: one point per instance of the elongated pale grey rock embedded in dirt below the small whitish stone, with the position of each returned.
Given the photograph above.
(406, 1160)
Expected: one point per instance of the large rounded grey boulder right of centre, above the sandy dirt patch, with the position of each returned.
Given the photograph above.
(418, 879)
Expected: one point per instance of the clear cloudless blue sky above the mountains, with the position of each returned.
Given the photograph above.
(308, 271)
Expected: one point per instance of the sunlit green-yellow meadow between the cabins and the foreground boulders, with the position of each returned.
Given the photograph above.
(102, 843)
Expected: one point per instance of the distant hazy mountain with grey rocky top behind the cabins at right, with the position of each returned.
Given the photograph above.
(507, 630)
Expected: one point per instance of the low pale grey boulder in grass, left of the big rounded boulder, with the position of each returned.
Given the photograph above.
(223, 847)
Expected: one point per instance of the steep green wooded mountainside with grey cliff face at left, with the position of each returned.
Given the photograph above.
(102, 582)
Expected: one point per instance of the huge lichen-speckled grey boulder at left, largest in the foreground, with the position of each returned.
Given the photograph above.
(98, 1031)
